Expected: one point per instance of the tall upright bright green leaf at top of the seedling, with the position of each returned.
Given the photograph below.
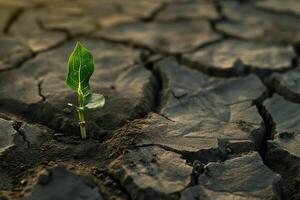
(81, 68)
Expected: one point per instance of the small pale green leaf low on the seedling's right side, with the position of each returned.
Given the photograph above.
(94, 102)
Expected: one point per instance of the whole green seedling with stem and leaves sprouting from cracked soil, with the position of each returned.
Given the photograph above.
(80, 70)
